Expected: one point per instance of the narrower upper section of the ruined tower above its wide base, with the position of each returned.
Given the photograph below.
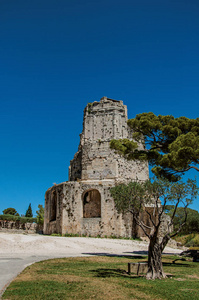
(104, 121)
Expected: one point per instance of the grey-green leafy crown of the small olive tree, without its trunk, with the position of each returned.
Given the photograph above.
(135, 195)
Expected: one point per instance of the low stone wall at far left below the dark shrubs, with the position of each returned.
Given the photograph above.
(16, 226)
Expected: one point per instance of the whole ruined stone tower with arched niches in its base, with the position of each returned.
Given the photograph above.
(83, 204)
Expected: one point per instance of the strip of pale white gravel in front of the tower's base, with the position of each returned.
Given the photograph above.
(34, 244)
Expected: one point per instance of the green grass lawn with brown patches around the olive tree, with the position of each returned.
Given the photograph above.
(101, 277)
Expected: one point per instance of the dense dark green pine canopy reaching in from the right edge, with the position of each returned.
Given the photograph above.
(172, 144)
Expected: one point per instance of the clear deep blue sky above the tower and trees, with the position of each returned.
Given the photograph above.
(56, 56)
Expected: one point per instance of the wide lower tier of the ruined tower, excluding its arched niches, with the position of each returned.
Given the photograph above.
(109, 223)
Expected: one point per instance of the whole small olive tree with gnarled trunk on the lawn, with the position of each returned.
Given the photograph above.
(135, 197)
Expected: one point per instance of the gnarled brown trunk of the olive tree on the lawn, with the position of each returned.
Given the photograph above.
(155, 268)
